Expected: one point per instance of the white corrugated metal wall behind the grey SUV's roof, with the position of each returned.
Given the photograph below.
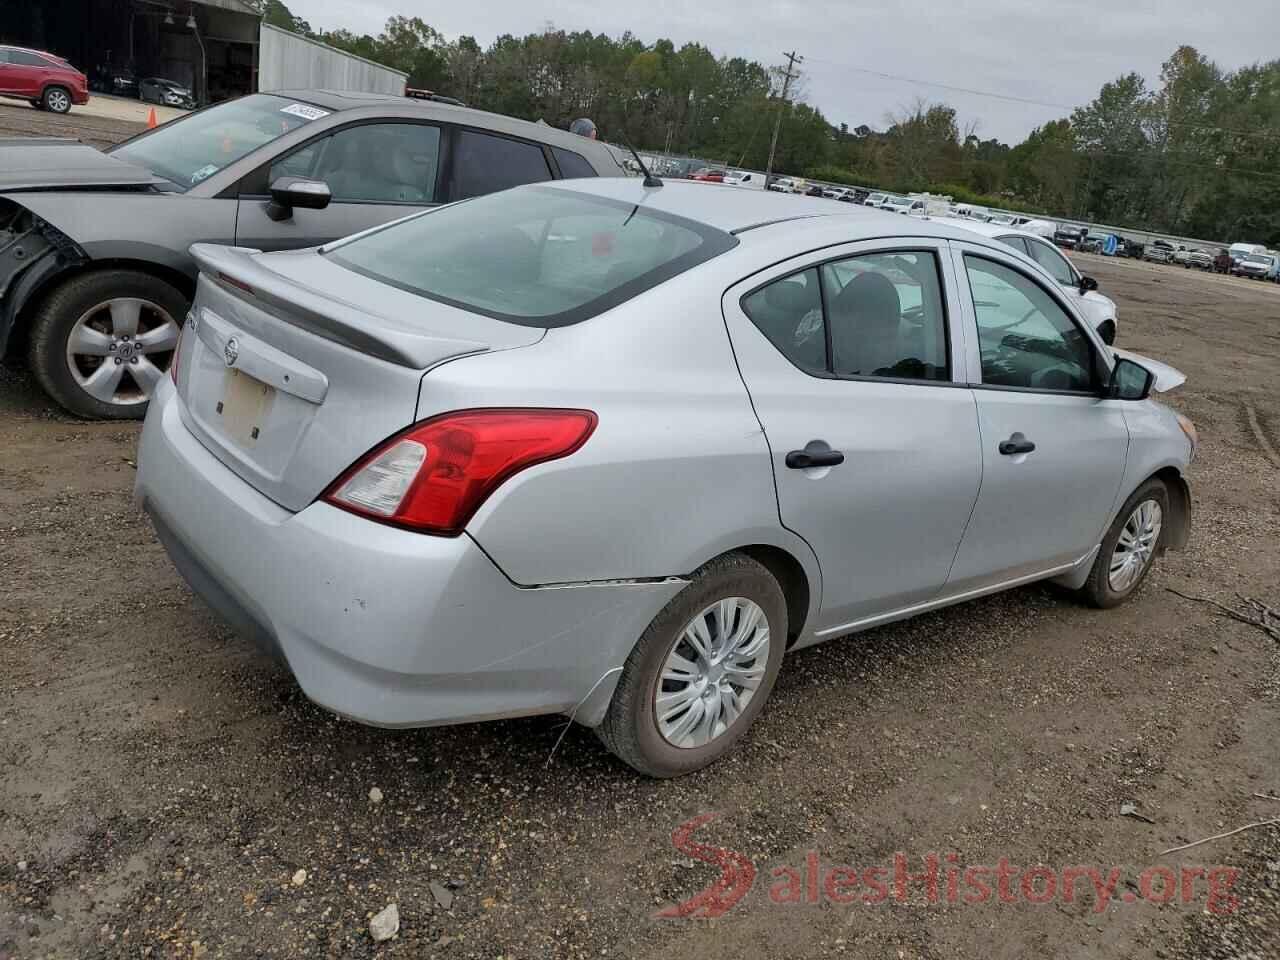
(290, 62)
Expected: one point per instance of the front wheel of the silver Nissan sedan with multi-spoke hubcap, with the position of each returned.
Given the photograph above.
(1130, 548)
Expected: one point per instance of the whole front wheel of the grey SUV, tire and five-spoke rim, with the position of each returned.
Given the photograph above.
(102, 342)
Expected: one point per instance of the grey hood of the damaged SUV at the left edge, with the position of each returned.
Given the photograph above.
(31, 164)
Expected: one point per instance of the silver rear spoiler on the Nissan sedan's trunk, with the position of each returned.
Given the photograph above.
(240, 272)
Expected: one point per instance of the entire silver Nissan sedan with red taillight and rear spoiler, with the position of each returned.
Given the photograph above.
(612, 451)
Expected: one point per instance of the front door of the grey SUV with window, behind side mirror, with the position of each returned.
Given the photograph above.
(377, 173)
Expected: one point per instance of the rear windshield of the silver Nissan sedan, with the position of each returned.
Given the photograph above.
(538, 257)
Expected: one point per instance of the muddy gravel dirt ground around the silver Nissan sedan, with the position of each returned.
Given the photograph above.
(162, 787)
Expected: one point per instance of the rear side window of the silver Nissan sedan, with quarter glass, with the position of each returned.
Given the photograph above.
(879, 316)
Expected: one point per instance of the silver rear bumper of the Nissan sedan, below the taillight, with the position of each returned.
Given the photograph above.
(378, 624)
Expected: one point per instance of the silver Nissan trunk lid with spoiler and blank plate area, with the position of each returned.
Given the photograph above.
(298, 367)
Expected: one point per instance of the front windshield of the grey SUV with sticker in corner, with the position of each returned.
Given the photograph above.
(196, 148)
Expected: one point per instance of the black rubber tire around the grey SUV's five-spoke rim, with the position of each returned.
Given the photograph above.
(57, 317)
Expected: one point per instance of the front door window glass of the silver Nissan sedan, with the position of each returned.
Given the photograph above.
(1025, 337)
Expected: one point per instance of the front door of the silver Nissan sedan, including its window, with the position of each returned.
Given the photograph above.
(1053, 450)
